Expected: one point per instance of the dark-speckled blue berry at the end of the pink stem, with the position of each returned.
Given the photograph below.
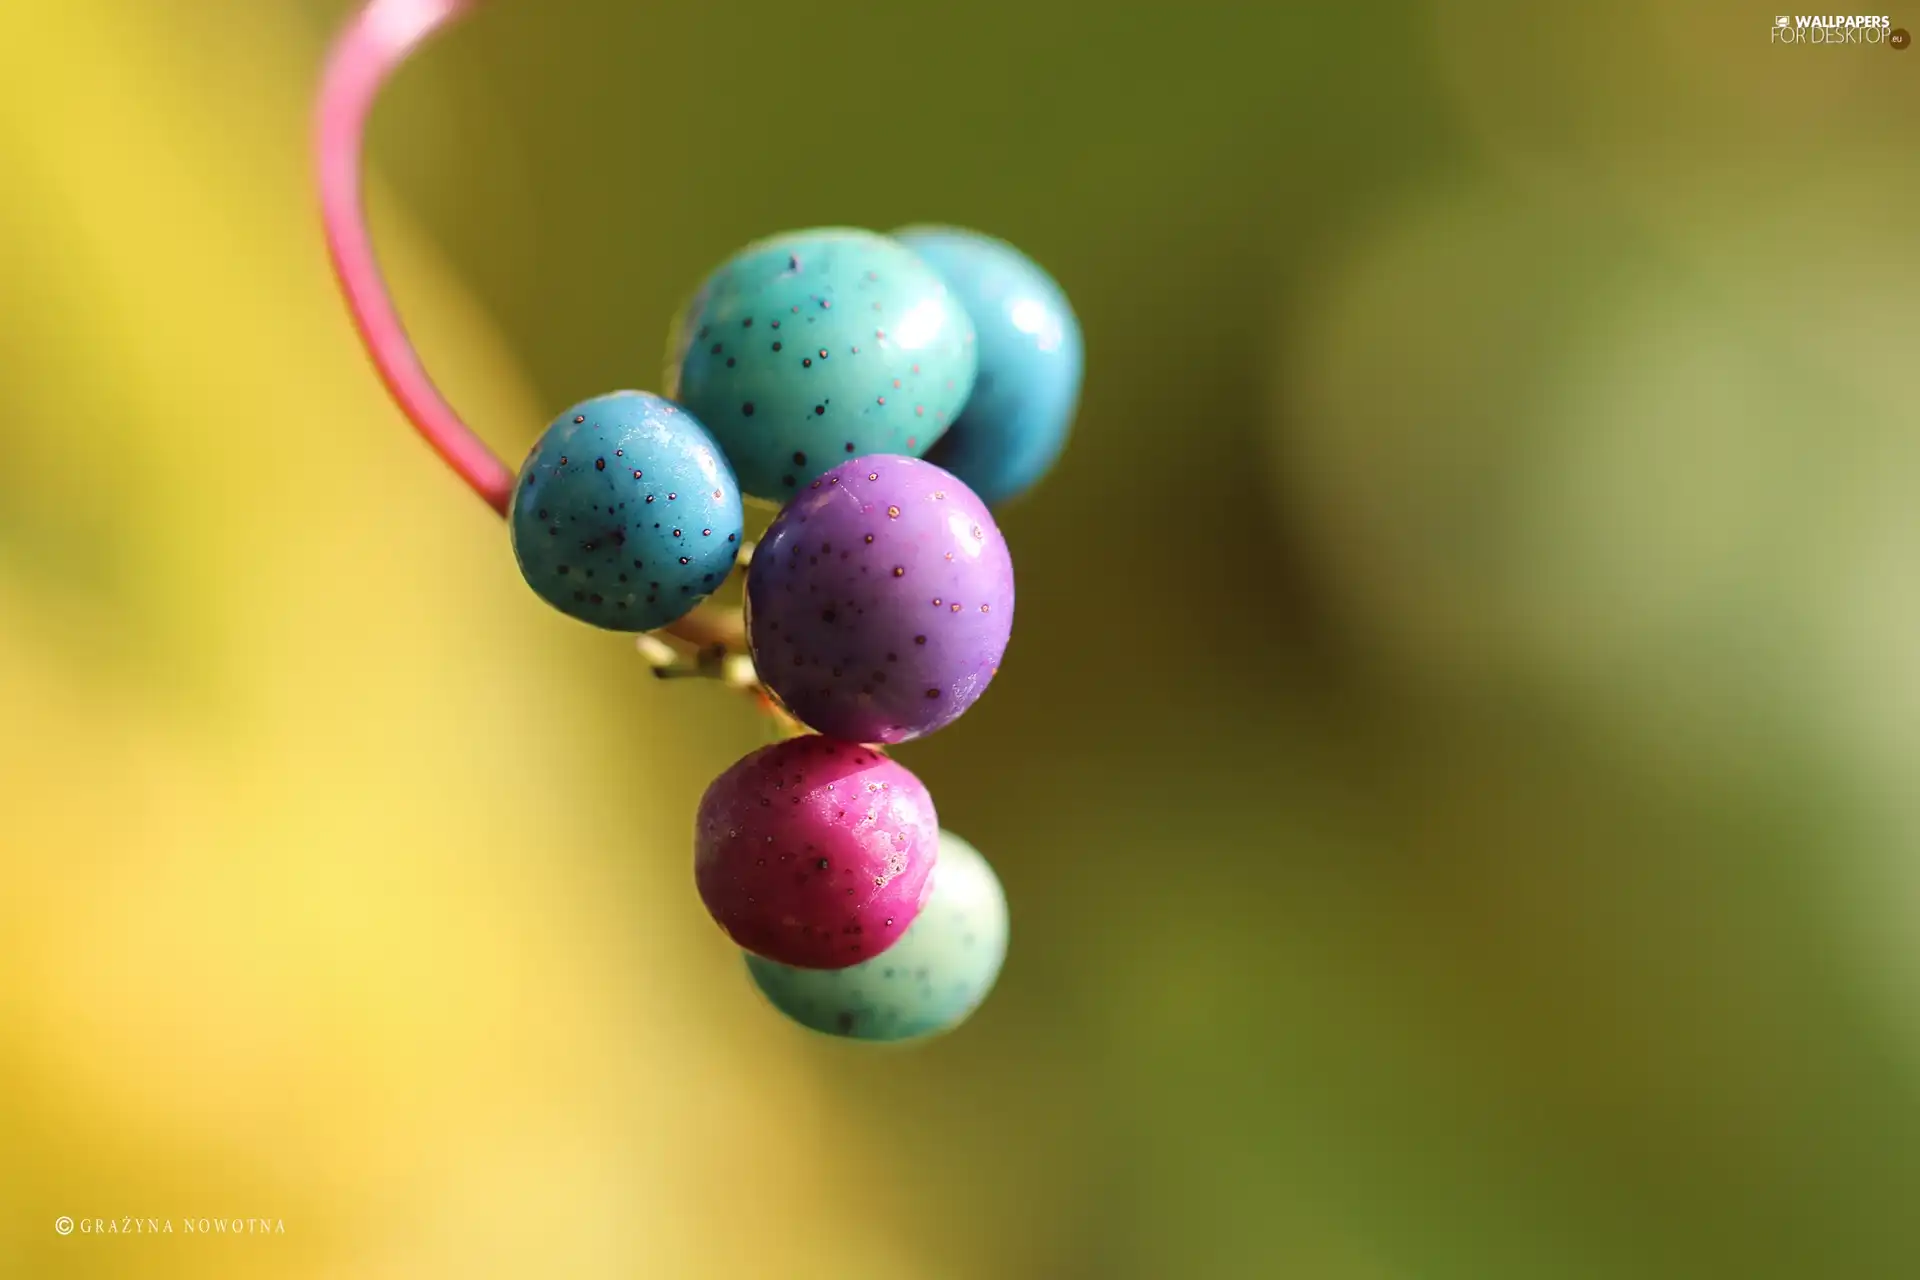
(627, 515)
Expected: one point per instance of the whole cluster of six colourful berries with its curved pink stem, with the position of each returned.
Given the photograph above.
(880, 392)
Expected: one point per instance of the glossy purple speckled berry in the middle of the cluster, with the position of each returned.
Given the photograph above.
(880, 602)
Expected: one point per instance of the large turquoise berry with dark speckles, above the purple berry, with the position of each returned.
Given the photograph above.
(819, 346)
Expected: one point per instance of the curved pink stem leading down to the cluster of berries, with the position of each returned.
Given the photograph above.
(364, 59)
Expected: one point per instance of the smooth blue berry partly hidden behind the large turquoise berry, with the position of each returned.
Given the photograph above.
(1020, 414)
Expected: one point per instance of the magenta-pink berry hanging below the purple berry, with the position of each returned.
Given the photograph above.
(815, 853)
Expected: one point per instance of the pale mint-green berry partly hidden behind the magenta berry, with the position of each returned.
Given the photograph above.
(926, 984)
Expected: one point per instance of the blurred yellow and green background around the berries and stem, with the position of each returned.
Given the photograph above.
(1454, 772)
